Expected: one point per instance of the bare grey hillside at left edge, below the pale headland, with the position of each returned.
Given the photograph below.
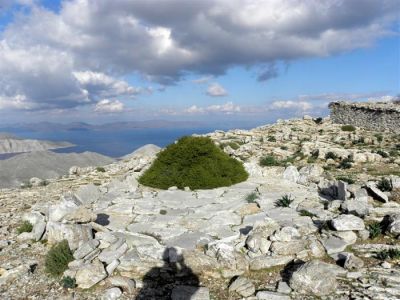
(45, 165)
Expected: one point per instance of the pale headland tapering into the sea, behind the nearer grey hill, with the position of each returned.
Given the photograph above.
(13, 144)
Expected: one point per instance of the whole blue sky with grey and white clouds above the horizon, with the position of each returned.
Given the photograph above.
(210, 60)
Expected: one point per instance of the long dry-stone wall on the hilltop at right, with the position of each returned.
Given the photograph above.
(373, 116)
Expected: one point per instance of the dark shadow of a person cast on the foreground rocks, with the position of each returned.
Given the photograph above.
(174, 280)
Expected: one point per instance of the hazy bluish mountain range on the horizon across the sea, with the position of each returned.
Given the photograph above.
(81, 126)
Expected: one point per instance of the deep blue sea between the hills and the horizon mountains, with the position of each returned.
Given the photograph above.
(114, 143)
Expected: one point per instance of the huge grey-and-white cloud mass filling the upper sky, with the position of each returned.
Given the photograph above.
(42, 51)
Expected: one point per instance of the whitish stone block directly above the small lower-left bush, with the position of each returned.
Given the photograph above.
(73, 233)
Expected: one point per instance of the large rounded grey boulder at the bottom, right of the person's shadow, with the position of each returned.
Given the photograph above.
(314, 277)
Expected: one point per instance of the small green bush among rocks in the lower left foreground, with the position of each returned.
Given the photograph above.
(57, 258)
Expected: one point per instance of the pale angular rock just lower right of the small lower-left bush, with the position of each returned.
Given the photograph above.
(90, 274)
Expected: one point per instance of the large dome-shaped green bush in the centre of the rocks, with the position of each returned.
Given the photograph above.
(194, 162)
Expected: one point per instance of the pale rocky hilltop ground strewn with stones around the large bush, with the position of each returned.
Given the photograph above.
(319, 218)
